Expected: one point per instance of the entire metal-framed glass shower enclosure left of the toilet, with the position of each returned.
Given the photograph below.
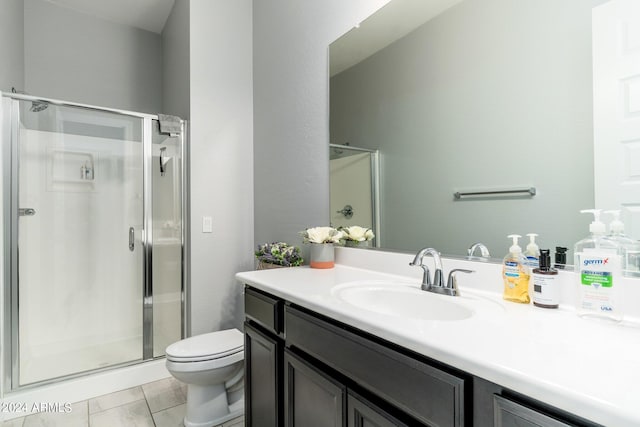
(94, 255)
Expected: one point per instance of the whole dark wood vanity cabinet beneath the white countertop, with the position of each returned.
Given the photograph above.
(306, 370)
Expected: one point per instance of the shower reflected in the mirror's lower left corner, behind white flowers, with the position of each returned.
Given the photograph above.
(354, 193)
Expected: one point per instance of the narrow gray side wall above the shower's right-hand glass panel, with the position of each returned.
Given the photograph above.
(175, 61)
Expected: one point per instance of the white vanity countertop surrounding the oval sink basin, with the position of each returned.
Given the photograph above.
(585, 367)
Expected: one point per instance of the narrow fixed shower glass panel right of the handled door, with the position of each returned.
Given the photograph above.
(166, 185)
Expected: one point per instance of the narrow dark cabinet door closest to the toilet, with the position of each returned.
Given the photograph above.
(263, 378)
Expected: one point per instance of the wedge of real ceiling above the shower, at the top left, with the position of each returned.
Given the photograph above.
(150, 15)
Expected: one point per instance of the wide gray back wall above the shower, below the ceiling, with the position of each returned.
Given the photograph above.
(76, 57)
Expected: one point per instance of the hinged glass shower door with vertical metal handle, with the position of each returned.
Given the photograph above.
(80, 265)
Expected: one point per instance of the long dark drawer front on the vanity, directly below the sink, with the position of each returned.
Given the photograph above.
(427, 393)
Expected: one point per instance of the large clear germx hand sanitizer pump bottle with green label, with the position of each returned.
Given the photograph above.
(598, 266)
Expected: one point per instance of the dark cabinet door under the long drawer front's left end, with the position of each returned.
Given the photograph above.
(312, 399)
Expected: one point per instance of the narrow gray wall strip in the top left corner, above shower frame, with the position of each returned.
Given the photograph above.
(11, 45)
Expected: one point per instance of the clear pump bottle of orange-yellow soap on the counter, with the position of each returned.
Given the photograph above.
(515, 274)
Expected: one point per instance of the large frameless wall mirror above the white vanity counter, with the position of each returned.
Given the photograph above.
(484, 96)
